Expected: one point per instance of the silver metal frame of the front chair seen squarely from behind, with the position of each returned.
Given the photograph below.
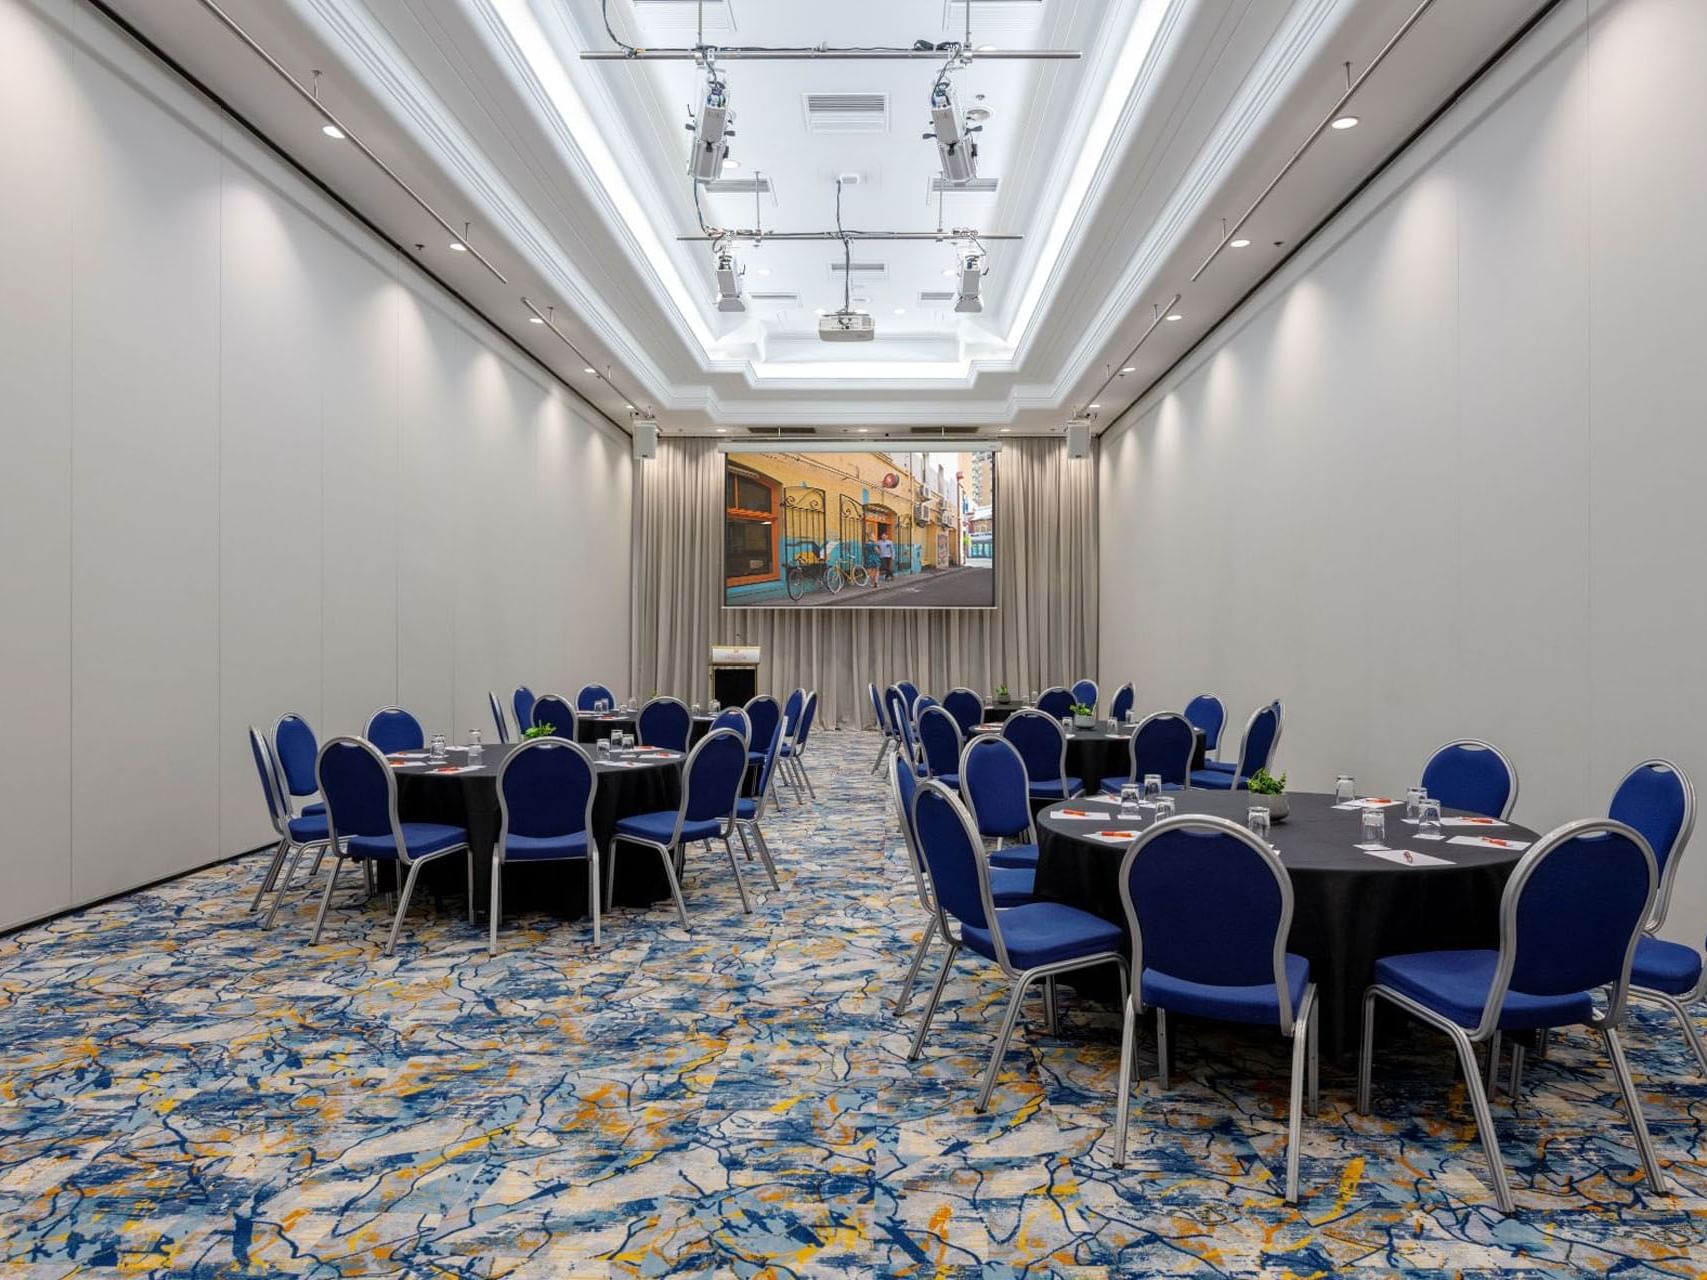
(1298, 1025)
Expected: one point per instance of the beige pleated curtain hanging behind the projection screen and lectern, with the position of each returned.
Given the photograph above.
(1042, 632)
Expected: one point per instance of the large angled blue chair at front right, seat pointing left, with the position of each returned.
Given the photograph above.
(1571, 917)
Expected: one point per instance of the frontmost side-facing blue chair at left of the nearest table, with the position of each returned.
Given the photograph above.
(1028, 943)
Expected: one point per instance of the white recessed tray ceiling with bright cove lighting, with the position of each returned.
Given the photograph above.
(1119, 170)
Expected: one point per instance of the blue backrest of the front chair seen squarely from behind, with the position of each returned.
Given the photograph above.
(1208, 904)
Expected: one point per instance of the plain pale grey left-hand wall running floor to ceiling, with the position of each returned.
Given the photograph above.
(250, 462)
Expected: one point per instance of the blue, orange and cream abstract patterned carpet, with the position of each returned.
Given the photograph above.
(184, 1095)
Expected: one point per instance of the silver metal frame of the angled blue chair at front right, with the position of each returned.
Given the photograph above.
(1488, 1030)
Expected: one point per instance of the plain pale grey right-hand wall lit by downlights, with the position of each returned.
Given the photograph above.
(1443, 475)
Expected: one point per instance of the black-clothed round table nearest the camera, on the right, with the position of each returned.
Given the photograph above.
(1349, 907)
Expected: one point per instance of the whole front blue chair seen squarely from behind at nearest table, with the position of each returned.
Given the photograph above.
(1209, 911)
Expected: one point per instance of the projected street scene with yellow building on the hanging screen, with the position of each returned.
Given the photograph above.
(859, 530)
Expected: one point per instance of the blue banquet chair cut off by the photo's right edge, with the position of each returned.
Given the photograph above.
(1658, 800)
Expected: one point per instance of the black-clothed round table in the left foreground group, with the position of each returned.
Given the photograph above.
(650, 784)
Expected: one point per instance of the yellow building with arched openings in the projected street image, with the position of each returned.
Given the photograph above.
(839, 509)
